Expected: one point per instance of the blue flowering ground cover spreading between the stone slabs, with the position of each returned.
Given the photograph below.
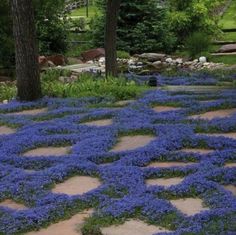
(123, 193)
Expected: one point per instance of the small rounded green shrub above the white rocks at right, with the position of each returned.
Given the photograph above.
(197, 43)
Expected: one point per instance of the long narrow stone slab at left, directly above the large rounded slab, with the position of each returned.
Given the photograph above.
(47, 151)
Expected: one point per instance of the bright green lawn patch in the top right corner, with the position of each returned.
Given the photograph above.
(228, 20)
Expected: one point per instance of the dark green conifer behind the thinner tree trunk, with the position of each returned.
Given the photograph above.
(143, 26)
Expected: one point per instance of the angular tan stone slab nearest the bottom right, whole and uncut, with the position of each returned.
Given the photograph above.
(189, 206)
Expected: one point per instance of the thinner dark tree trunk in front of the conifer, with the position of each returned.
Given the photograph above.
(112, 13)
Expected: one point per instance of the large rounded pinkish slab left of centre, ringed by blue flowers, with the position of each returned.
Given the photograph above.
(77, 185)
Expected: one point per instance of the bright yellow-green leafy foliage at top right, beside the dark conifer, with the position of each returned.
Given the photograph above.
(191, 16)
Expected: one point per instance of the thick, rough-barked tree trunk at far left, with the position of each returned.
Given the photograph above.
(27, 67)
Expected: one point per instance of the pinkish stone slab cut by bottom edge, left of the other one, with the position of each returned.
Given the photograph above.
(68, 227)
